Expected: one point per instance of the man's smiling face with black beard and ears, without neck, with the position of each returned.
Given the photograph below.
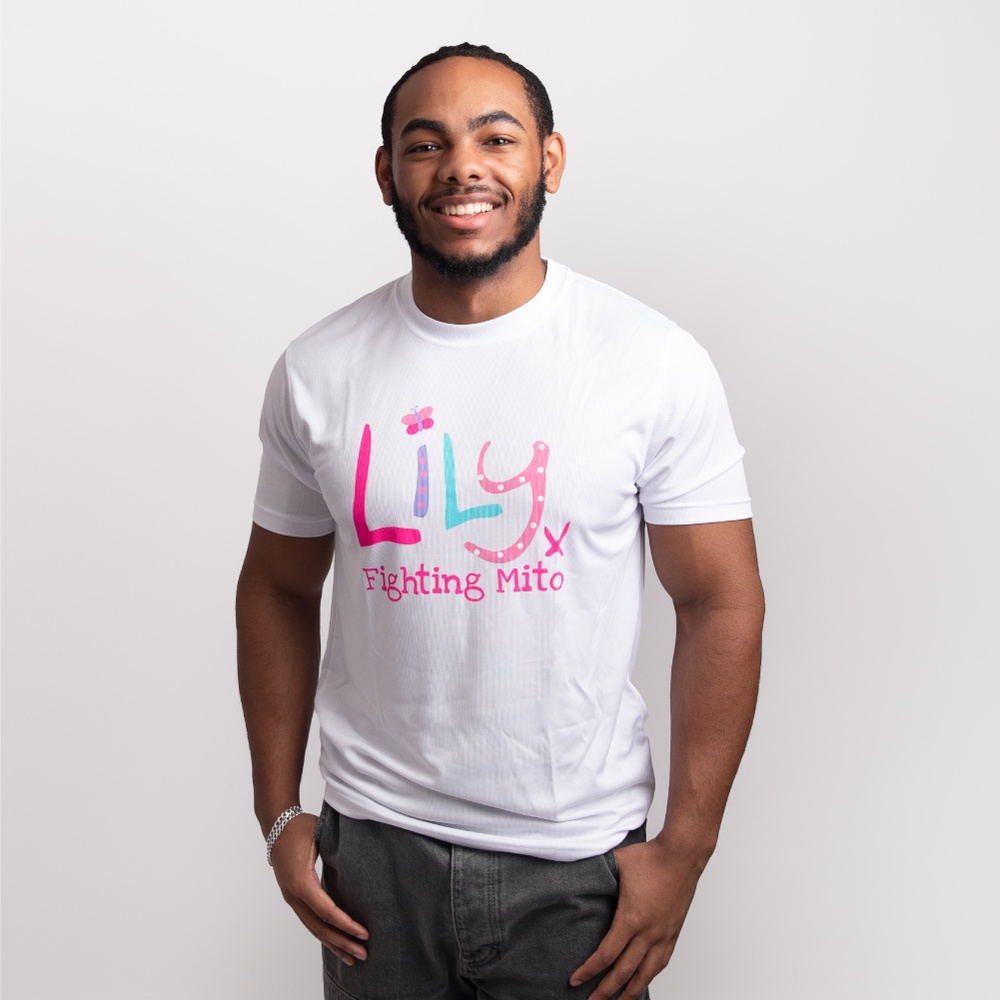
(468, 174)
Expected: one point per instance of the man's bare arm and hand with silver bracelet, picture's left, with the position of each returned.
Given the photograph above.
(278, 643)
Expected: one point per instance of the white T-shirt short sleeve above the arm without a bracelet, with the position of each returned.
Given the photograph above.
(694, 465)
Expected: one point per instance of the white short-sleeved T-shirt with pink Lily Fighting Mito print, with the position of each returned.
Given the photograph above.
(487, 484)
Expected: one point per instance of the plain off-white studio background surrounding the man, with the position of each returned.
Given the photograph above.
(811, 189)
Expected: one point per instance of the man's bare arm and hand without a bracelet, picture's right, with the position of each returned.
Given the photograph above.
(710, 572)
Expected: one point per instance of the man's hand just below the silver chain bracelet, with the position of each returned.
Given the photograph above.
(294, 857)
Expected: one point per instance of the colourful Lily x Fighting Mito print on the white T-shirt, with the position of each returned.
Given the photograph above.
(417, 580)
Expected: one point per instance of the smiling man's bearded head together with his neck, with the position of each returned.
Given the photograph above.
(466, 222)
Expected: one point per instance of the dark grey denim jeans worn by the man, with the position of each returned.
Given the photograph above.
(453, 923)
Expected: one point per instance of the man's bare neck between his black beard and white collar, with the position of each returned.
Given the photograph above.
(482, 299)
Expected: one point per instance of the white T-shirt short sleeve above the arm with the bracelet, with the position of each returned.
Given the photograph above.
(289, 500)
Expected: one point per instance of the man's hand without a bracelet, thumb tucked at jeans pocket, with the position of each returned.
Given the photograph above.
(656, 888)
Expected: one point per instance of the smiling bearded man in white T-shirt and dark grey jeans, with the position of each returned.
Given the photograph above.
(488, 439)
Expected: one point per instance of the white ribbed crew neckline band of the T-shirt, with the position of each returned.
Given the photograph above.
(517, 323)
